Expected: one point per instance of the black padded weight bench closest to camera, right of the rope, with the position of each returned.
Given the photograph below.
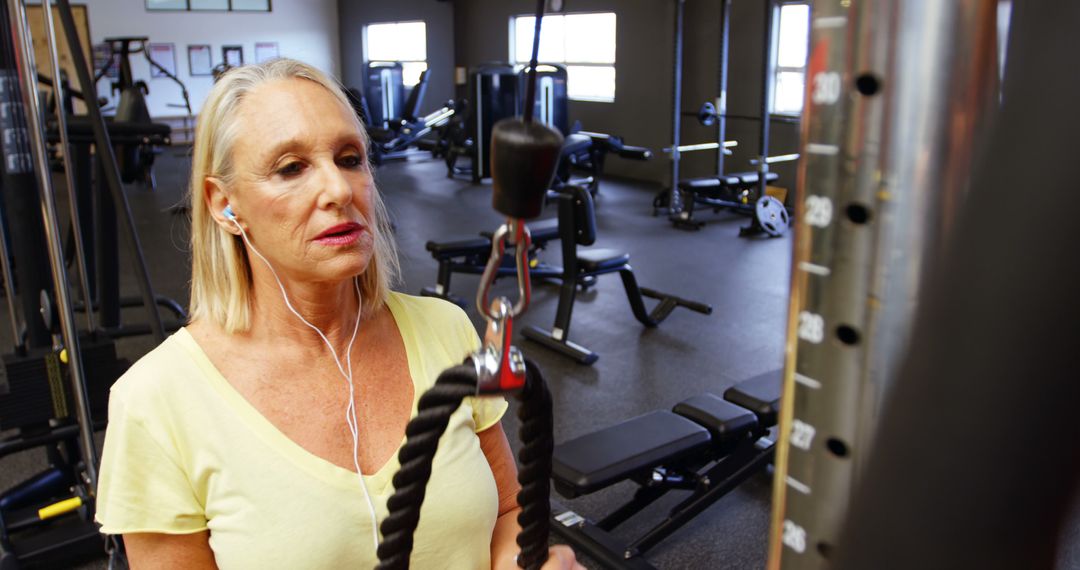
(706, 445)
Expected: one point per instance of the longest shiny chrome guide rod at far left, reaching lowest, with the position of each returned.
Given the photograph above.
(24, 53)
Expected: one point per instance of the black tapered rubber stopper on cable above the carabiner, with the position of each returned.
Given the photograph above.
(524, 157)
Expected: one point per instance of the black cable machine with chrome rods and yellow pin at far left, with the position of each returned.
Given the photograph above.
(58, 377)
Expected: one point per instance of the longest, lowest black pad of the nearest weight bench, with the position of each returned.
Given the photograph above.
(600, 459)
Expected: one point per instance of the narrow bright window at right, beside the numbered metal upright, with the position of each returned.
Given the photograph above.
(792, 43)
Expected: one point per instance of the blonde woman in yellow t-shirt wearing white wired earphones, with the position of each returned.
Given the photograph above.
(265, 433)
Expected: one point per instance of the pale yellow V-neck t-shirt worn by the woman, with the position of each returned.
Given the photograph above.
(186, 453)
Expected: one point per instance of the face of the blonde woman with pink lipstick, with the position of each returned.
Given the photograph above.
(303, 186)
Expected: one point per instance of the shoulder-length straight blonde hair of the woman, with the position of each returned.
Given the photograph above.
(221, 269)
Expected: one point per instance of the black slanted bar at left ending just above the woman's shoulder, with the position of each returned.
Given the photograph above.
(112, 172)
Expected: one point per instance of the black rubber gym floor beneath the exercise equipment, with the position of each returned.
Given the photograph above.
(639, 371)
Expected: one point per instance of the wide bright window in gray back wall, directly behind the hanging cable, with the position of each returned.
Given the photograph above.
(585, 44)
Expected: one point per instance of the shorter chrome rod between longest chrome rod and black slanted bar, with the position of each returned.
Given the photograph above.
(80, 255)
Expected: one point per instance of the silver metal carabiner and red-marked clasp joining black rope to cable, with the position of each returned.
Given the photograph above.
(501, 367)
